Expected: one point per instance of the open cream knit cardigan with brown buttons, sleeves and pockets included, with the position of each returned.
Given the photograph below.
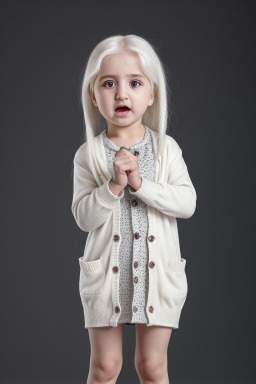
(97, 210)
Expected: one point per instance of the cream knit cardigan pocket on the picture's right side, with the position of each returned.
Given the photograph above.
(176, 287)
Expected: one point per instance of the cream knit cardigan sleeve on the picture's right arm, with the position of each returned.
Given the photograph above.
(176, 197)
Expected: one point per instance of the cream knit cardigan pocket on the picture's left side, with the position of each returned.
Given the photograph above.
(92, 277)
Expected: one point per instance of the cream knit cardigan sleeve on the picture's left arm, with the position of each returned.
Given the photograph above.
(91, 206)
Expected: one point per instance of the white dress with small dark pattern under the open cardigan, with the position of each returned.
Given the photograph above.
(133, 251)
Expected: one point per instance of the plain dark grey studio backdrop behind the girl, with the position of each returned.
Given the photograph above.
(209, 48)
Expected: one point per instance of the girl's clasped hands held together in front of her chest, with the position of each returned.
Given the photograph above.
(126, 169)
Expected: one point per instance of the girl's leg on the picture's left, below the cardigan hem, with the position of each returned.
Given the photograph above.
(106, 354)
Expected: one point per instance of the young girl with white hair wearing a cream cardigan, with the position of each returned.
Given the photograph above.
(130, 185)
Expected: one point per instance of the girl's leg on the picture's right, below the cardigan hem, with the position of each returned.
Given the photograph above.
(151, 361)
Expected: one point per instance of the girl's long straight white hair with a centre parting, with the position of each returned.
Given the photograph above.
(156, 115)
